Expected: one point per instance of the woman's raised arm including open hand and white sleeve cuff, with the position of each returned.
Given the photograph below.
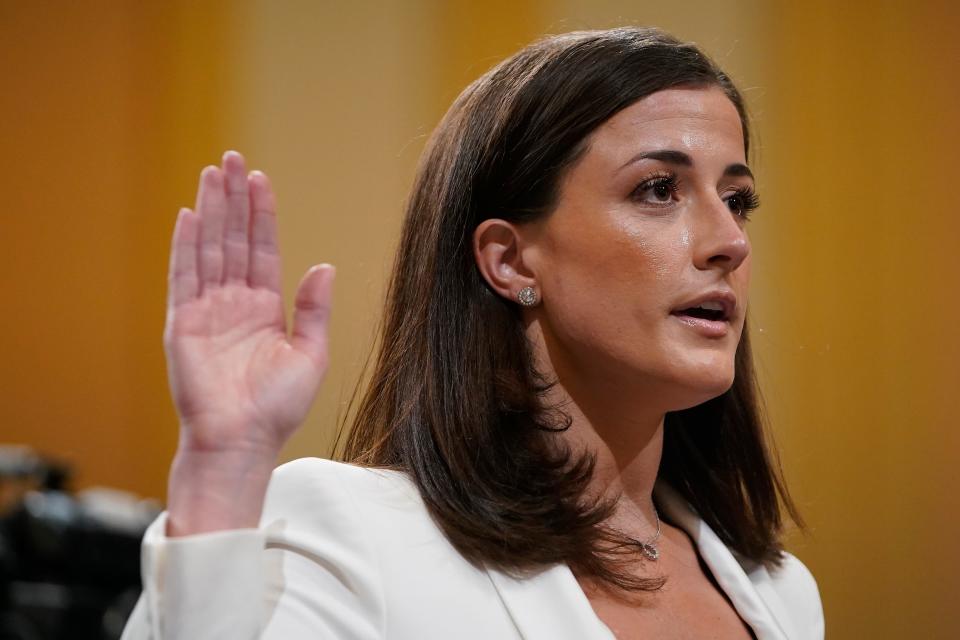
(241, 387)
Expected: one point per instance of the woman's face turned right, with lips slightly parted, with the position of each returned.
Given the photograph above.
(650, 223)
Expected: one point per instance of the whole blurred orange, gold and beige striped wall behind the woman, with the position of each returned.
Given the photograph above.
(110, 109)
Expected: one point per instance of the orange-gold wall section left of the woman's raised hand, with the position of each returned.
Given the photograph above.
(108, 108)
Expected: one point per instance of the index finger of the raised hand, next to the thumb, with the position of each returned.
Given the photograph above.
(264, 252)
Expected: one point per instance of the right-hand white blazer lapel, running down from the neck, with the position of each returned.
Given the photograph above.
(730, 575)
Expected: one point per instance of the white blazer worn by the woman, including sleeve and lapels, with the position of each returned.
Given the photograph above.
(349, 552)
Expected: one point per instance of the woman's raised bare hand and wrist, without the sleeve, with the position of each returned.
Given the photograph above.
(240, 384)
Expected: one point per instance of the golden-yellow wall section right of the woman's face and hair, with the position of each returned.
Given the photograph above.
(860, 304)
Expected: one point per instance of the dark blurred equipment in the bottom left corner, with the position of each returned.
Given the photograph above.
(69, 563)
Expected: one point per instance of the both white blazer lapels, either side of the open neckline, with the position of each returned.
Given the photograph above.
(551, 605)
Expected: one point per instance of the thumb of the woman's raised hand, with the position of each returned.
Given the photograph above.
(311, 313)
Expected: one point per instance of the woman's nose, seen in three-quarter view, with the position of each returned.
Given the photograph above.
(722, 241)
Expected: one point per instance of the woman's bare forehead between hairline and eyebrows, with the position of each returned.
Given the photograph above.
(698, 121)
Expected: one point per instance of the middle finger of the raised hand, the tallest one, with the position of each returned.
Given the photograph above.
(236, 243)
